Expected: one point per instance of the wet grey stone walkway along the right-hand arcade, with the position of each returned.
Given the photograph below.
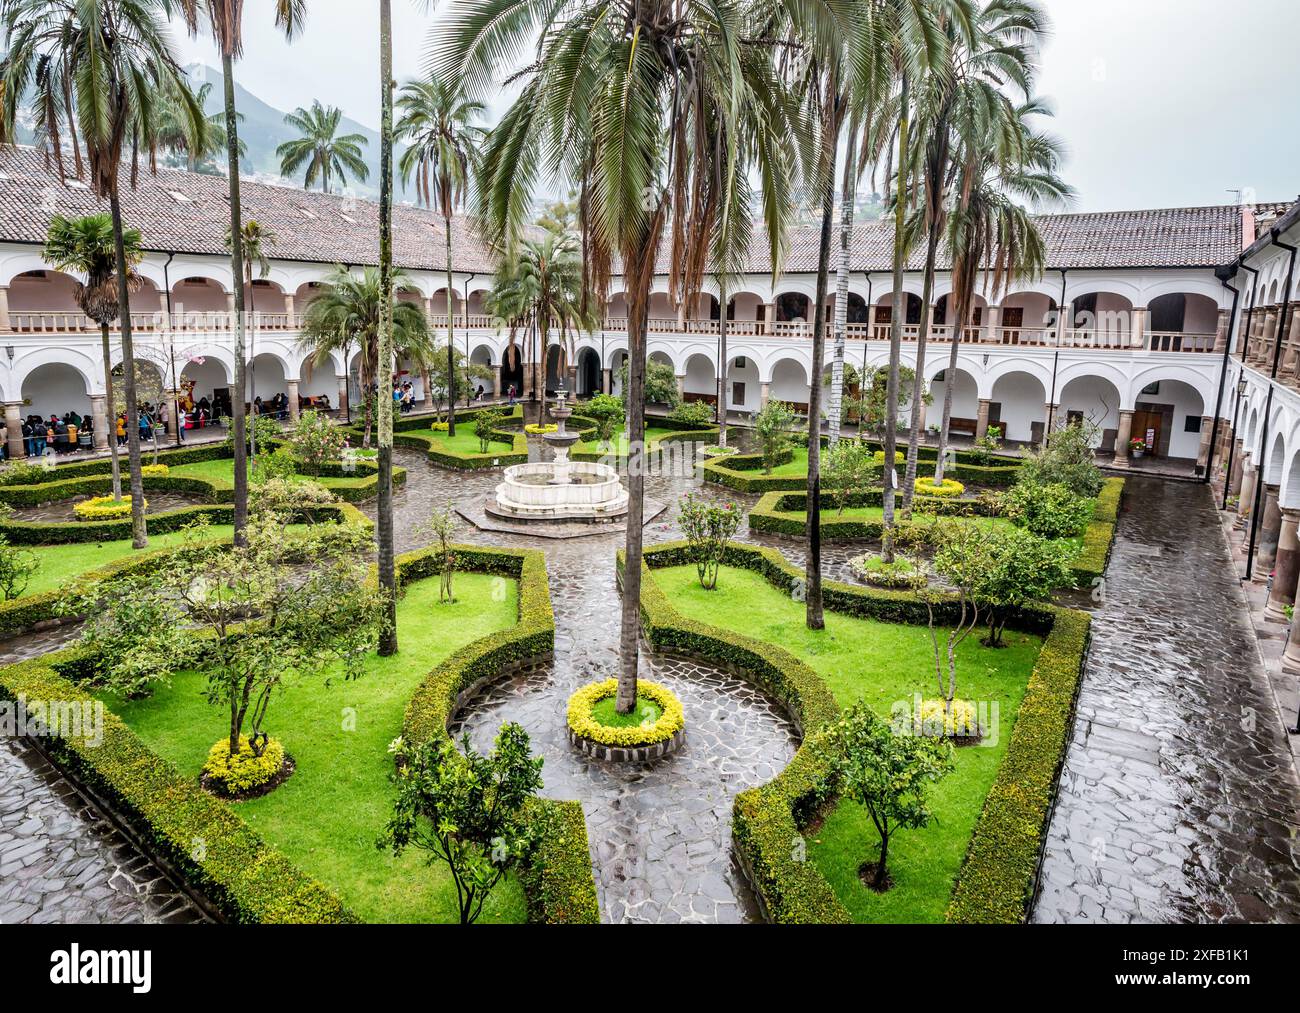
(1178, 798)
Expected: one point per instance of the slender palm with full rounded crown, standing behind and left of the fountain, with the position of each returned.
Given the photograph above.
(439, 124)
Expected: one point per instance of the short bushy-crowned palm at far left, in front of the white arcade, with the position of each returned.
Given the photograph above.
(86, 246)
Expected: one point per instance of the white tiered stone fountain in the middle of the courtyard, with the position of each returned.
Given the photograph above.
(561, 490)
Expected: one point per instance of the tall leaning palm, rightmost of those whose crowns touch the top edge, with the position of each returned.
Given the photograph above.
(991, 51)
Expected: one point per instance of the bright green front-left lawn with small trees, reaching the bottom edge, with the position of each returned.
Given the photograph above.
(330, 815)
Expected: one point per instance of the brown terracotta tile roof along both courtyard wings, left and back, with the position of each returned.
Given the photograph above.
(187, 213)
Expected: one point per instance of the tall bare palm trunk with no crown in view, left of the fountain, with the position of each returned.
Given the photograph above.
(384, 527)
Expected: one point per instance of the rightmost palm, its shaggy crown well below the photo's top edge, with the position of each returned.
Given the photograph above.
(1002, 162)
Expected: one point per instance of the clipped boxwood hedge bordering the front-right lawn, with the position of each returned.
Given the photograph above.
(999, 873)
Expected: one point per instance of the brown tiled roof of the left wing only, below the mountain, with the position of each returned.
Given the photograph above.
(189, 214)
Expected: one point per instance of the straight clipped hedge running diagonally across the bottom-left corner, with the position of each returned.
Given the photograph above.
(244, 877)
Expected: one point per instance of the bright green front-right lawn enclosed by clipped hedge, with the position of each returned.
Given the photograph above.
(879, 664)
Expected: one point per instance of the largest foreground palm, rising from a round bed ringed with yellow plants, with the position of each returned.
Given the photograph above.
(642, 106)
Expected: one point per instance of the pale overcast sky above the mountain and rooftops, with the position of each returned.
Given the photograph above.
(1162, 103)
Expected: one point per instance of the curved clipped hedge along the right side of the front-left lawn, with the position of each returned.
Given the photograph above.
(558, 880)
